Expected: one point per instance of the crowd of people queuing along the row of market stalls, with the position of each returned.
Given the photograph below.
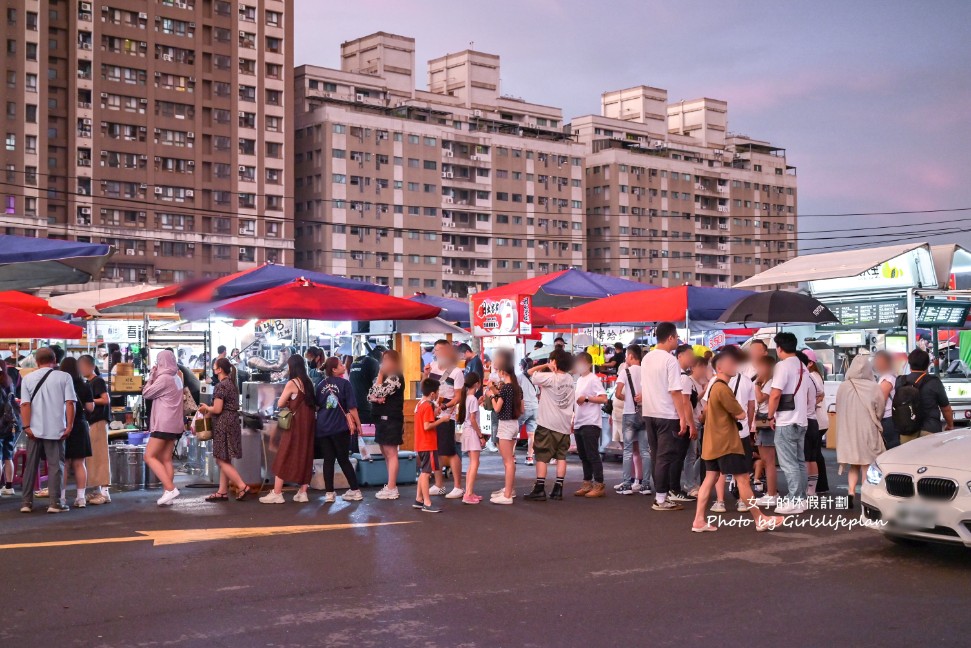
(692, 426)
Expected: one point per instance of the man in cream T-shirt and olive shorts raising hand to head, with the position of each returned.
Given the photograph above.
(554, 419)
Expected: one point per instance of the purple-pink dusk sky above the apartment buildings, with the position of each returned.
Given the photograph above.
(872, 100)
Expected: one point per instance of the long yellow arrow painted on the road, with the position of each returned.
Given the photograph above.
(185, 536)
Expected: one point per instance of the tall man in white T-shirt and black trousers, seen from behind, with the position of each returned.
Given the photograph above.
(667, 415)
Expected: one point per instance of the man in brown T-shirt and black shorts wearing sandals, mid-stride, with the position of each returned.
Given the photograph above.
(722, 449)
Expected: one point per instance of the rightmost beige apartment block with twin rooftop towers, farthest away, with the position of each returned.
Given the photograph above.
(672, 197)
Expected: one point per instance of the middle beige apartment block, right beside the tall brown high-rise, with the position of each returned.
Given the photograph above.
(447, 190)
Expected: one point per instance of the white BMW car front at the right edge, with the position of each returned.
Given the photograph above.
(921, 491)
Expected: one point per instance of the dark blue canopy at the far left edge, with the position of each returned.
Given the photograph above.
(27, 262)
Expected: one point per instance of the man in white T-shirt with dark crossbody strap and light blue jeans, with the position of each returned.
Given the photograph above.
(634, 430)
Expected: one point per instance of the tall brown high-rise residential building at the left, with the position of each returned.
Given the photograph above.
(162, 127)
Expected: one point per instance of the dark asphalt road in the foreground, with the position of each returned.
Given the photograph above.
(607, 572)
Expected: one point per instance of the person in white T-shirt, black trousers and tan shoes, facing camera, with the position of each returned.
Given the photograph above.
(588, 425)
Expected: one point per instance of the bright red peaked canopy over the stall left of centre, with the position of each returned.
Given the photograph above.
(304, 299)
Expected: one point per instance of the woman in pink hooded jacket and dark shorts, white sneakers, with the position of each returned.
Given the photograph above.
(167, 423)
